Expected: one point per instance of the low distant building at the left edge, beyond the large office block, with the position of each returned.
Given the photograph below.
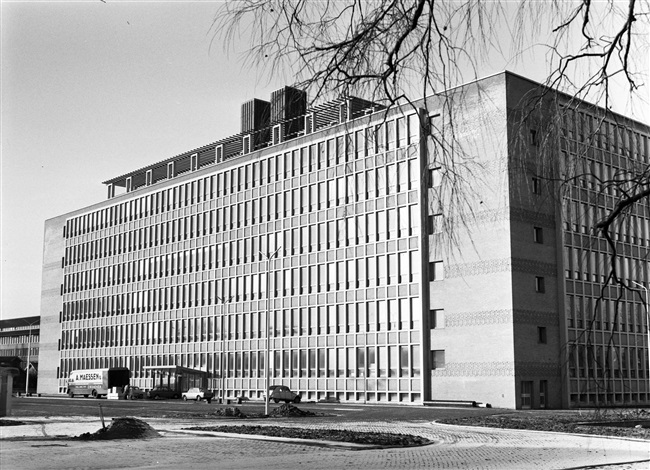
(19, 337)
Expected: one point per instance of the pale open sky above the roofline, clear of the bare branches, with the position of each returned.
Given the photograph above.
(92, 90)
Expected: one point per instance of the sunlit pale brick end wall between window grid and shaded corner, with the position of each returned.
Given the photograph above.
(476, 293)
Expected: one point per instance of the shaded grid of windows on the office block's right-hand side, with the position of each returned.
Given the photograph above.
(607, 335)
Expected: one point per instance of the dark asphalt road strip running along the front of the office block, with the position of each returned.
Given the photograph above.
(64, 406)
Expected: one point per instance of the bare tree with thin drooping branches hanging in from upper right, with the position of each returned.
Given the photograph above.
(397, 51)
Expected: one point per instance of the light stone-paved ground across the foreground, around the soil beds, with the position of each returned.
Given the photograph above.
(39, 445)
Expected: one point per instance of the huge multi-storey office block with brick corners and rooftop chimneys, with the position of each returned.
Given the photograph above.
(406, 264)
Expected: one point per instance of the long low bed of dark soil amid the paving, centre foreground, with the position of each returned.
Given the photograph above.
(369, 438)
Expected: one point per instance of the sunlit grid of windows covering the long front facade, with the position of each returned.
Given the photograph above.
(150, 272)
